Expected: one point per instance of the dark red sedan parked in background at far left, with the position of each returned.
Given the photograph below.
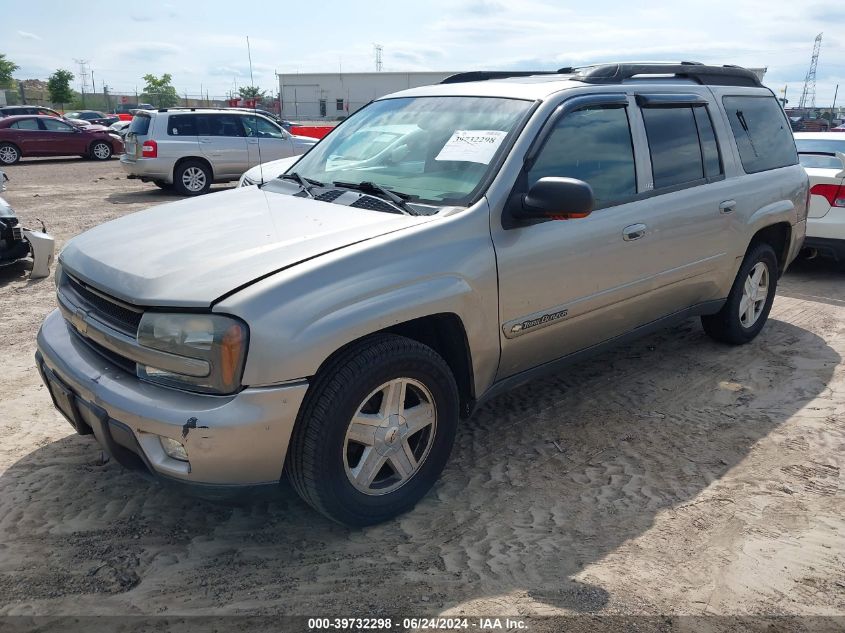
(22, 136)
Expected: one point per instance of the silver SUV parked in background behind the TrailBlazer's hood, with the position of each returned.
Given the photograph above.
(190, 148)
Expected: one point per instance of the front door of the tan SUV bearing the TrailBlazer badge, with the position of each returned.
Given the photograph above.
(565, 285)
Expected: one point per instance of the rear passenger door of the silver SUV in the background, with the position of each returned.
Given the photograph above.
(222, 140)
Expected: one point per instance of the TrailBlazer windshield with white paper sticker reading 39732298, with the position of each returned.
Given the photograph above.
(434, 149)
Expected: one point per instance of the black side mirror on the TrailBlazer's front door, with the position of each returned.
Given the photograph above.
(554, 198)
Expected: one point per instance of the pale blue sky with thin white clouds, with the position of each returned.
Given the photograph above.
(203, 44)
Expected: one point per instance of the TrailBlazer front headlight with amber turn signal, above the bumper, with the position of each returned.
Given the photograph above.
(218, 342)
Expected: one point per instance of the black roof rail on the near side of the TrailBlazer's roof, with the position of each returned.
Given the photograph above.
(703, 74)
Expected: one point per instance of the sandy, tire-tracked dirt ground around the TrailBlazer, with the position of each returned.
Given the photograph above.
(673, 475)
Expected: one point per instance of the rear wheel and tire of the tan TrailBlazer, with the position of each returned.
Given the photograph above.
(731, 326)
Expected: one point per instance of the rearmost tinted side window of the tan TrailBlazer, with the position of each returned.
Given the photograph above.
(763, 135)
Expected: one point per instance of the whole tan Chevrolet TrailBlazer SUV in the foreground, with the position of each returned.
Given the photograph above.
(337, 322)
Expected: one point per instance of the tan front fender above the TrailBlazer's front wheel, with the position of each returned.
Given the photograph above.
(300, 316)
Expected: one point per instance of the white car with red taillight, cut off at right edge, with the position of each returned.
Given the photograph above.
(823, 156)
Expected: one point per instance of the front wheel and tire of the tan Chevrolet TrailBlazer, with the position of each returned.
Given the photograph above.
(329, 456)
